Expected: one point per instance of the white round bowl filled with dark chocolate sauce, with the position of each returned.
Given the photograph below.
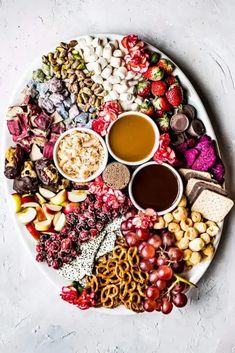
(156, 186)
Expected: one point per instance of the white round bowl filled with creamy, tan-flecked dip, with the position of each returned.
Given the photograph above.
(80, 154)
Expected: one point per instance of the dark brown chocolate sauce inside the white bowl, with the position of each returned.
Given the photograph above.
(155, 186)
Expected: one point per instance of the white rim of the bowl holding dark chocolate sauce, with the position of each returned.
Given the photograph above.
(180, 183)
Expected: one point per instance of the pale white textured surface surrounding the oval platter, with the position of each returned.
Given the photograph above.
(200, 37)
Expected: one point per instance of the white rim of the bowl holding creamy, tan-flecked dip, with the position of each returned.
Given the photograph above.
(99, 170)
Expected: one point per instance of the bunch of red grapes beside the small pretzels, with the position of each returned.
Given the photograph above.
(162, 260)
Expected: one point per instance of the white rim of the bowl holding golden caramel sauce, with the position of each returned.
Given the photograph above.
(155, 146)
